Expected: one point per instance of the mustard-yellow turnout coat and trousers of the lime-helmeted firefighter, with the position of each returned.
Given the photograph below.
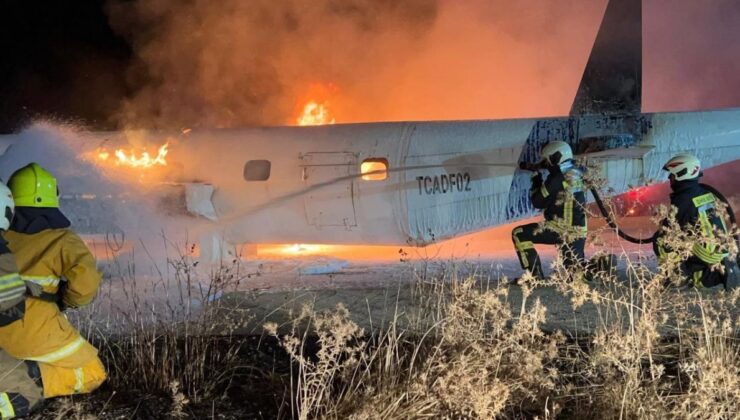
(68, 363)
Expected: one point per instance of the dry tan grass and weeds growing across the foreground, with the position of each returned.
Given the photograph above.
(656, 352)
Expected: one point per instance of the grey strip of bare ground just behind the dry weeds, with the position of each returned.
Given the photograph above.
(373, 303)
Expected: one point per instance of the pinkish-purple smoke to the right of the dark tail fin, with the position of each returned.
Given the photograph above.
(690, 57)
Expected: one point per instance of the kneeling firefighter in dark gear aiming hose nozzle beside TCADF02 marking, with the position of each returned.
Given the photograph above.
(562, 198)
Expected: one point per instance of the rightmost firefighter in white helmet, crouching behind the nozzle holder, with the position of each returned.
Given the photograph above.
(696, 207)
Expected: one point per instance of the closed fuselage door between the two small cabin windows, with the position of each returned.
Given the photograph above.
(330, 200)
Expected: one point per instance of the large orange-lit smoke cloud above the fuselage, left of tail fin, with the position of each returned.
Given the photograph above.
(237, 63)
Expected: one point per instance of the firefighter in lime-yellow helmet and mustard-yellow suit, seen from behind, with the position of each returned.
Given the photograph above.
(58, 271)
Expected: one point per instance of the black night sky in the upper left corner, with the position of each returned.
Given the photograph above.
(57, 58)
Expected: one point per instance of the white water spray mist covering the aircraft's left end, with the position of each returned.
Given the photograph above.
(102, 202)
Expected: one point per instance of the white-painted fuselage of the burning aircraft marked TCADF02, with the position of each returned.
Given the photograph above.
(445, 178)
